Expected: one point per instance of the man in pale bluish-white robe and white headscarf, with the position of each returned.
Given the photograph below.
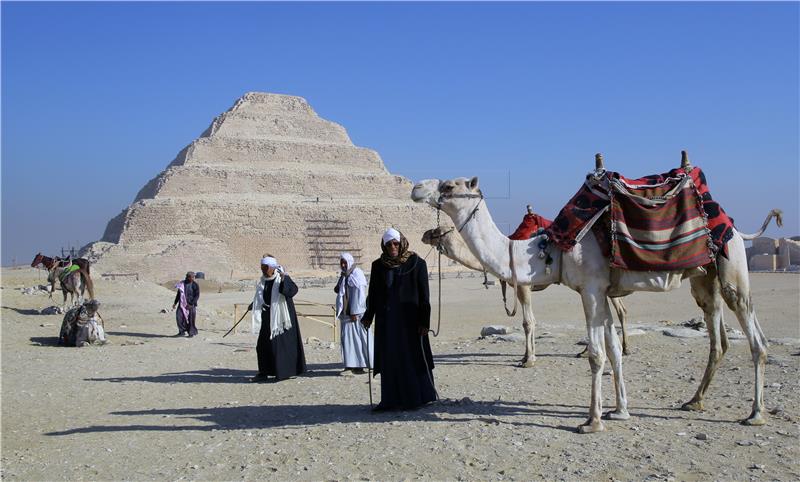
(351, 303)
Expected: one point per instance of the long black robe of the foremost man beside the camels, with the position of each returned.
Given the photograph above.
(399, 301)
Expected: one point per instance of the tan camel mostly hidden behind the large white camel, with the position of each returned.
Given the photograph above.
(453, 246)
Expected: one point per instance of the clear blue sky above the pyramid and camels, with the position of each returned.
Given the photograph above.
(97, 98)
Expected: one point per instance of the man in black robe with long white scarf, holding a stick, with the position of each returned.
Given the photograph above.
(280, 346)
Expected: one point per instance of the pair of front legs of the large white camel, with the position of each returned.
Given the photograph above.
(602, 337)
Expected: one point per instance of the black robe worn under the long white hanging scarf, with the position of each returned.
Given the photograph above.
(282, 356)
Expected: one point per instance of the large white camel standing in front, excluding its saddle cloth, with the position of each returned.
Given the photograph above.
(586, 270)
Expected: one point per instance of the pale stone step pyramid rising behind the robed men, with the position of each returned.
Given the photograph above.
(268, 176)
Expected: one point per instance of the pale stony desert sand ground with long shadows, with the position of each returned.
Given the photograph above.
(150, 406)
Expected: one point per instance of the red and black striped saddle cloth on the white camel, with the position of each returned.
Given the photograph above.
(657, 223)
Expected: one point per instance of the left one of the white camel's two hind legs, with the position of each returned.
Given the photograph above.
(707, 293)
